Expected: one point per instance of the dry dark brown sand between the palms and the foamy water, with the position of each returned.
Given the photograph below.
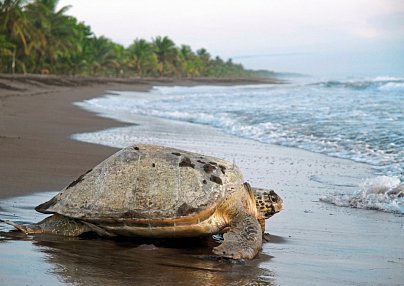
(37, 118)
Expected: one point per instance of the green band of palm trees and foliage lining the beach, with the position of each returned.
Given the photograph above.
(35, 37)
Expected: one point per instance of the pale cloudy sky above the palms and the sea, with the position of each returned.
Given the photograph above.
(317, 37)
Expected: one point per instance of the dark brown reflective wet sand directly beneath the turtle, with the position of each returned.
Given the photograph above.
(122, 262)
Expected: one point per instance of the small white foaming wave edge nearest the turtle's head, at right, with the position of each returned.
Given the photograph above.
(380, 193)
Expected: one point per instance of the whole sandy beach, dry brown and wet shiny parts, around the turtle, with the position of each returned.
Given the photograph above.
(312, 243)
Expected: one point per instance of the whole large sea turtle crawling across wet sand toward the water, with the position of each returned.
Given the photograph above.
(156, 191)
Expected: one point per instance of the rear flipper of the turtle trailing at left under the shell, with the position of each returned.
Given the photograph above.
(55, 224)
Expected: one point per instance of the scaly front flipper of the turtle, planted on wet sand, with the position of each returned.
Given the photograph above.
(243, 240)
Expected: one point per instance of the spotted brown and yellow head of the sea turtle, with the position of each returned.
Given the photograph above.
(267, 202)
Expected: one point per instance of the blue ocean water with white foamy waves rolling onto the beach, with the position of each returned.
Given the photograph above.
(359, 119)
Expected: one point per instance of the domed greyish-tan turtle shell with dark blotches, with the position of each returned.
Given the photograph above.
(147, 181)
